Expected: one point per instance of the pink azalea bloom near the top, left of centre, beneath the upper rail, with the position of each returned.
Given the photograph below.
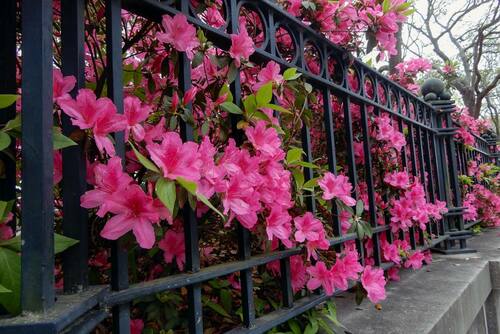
(179, 33)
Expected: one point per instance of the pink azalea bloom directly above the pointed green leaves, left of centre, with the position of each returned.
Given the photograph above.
(176, 159)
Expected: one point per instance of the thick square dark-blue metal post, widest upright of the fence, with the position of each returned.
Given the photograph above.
(37, 275)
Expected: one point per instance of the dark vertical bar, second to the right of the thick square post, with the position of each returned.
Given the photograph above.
(119, 254)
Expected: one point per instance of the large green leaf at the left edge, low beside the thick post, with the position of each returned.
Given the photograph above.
(10, 278)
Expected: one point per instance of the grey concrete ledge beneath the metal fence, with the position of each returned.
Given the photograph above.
(456, 294)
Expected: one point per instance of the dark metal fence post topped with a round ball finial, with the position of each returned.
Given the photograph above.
(434, 93)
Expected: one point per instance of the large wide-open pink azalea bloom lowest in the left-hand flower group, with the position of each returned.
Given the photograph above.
(134, 211)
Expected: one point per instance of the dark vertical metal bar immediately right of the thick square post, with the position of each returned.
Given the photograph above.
(75, 267)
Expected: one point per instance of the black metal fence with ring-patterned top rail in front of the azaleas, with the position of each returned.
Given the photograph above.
(430, 151)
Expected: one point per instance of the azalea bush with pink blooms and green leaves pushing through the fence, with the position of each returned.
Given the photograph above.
(245, 165)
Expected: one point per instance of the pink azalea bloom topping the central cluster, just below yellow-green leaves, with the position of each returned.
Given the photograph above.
(265, 140)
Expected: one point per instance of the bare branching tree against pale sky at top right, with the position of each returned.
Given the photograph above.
(466, 40)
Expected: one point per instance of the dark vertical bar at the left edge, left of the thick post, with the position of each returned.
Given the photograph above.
(8, 86)
